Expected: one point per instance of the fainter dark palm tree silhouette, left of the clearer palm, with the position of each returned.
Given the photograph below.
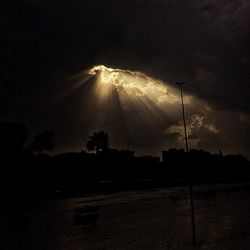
(43, 141)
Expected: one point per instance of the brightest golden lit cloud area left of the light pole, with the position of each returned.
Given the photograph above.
(133, 85)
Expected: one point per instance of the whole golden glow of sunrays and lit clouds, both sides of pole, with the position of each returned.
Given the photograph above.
(149, 102)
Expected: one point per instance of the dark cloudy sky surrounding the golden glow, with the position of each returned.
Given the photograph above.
(45, 44)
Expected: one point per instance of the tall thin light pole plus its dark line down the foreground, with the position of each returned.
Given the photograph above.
(180, 84)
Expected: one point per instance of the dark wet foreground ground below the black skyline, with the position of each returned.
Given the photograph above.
(153, 219)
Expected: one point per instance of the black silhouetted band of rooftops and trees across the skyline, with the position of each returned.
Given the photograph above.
(26, 169)
